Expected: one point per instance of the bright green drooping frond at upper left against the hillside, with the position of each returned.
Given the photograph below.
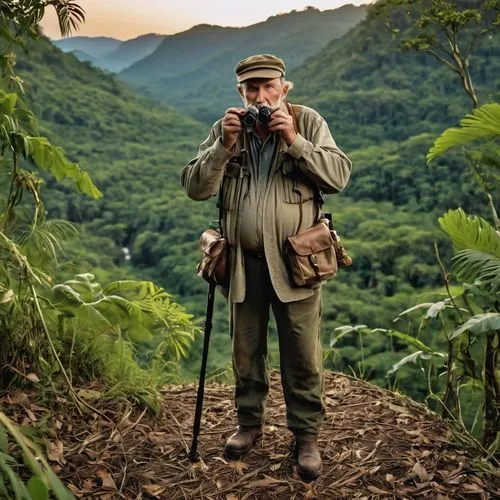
(52, 158)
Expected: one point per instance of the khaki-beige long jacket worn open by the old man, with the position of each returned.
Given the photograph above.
(313, 161)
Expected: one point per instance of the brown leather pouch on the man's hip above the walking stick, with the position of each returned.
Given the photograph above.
(214, 261)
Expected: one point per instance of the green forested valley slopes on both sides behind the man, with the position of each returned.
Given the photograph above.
(384, 117)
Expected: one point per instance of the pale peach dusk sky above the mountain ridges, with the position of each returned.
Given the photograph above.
(125, 19)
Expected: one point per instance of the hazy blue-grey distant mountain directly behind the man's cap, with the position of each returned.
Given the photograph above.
(187, 65)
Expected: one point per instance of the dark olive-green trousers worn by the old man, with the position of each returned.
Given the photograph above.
(301, 362)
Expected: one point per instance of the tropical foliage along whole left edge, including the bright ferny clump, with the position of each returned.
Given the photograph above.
(47, 328)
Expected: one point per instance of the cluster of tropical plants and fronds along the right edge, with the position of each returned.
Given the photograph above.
(468, 321)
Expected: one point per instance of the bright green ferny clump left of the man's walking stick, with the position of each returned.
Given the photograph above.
(128, 332)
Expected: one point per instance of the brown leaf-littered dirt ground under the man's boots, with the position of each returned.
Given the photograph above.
(375, 445)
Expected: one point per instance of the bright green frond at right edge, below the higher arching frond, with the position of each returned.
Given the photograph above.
(470, 232)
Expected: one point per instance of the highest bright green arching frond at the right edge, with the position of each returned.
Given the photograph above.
(483, 123)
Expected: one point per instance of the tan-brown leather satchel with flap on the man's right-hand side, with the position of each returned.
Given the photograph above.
(311, 255)
